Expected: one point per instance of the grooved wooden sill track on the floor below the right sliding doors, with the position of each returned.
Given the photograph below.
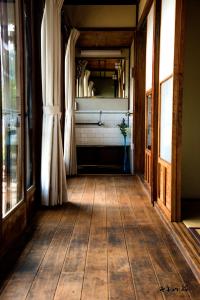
(188, 246)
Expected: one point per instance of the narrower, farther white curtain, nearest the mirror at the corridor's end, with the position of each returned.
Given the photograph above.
(69, 136)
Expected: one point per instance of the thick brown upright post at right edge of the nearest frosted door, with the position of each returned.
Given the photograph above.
(177, 108)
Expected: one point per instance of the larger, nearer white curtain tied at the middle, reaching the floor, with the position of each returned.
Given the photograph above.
(53, 177)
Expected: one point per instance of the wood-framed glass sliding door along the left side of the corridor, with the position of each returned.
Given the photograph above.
(16, 122)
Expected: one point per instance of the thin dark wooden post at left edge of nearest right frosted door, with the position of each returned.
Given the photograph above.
(155, 99)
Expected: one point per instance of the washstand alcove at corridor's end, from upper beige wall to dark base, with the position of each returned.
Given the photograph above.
(103, 86)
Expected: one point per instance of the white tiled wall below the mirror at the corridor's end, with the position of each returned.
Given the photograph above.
(113, 111)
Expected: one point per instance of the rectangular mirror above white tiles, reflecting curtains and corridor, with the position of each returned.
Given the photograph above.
(102, 77)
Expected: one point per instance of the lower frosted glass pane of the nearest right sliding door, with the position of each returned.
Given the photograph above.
(166, 120)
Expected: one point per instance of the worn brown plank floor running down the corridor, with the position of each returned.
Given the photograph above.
(107, 243)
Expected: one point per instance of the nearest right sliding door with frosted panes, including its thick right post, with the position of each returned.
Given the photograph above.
(170, 107)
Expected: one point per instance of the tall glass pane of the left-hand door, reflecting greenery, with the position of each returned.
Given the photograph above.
(11, 105)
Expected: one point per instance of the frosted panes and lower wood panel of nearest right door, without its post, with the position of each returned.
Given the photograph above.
(166, 100)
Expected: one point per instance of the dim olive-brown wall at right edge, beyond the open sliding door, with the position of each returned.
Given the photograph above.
(191, 105)
